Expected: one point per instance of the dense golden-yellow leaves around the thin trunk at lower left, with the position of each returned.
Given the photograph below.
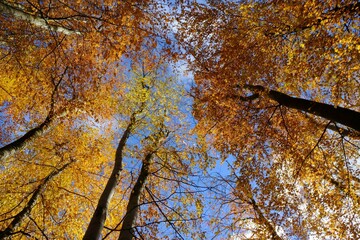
(67, 202)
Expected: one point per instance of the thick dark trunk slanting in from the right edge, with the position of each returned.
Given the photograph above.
(347, 117)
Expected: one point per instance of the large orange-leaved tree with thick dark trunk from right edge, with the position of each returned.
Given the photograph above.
(275, 83)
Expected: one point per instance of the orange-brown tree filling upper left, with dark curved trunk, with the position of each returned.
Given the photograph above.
(61, 53)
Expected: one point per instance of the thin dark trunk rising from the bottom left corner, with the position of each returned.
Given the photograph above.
(18, 218)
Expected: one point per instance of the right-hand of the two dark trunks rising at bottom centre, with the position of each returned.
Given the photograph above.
(127, 232)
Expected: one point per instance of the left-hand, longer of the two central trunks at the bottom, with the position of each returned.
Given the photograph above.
(96, 225)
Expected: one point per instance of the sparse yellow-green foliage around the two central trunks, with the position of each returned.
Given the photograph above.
(155, 98)
